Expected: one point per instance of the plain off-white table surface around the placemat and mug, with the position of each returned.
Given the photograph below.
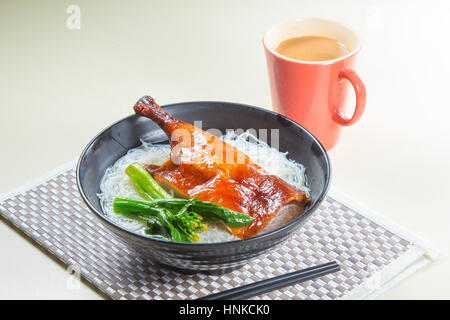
(60, 87)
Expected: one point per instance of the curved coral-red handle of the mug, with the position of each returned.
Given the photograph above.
(360, 92)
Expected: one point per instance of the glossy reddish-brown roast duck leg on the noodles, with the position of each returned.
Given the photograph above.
(206, 167)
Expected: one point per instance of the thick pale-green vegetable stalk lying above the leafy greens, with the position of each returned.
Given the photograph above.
(144, 183)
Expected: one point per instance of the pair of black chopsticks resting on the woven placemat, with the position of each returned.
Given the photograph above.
(267, 285)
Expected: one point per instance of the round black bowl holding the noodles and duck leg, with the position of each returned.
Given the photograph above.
(113, 142)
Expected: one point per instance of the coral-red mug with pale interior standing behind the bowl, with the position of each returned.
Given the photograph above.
(313, 93)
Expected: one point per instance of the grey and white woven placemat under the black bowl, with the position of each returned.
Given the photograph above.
(53, 214)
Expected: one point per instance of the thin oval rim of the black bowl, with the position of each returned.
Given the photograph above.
(260, 237)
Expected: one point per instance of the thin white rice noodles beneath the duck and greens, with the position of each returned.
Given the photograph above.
(115, 182)
